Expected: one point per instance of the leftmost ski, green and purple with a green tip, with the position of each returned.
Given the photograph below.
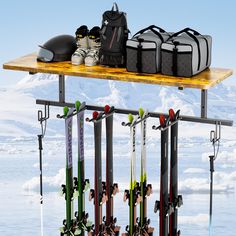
(68, 188)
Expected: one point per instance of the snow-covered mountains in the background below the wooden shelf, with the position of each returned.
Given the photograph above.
(19, 112)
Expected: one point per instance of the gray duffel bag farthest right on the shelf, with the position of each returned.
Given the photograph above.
(186, 53)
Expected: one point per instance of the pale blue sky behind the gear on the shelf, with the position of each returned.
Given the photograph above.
(25, 24)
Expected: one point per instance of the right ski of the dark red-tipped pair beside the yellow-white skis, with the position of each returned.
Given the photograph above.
(111, 187)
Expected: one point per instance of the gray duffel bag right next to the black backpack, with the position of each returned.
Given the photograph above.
(144, 48)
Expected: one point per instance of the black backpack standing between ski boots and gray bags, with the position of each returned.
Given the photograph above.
(114, 34)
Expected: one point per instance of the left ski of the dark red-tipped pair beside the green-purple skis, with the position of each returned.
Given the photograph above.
(98, 193)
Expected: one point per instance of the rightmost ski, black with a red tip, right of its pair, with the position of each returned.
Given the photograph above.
(175, 199)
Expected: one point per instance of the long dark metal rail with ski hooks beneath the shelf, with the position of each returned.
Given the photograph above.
(202, 120)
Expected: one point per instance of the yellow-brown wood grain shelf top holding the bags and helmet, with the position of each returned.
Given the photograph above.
(204, 80)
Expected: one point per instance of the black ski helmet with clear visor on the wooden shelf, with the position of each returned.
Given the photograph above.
(59, 48)
